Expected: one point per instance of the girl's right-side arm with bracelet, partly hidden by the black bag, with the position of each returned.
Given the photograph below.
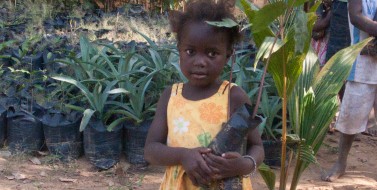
(233, 164)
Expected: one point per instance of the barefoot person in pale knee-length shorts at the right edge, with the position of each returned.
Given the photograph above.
(361, 88)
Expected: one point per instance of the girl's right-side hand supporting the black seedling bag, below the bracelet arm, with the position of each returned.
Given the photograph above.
(229, 164)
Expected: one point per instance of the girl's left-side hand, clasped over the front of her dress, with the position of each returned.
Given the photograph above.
(195, 166)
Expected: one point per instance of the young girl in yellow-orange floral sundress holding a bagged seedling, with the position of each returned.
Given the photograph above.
(190, 115)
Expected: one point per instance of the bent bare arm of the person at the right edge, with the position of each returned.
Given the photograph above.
(359, 20)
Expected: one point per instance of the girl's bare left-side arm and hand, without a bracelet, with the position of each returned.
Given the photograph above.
(156, 151)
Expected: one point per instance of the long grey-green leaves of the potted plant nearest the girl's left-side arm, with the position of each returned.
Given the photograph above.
(135, 74)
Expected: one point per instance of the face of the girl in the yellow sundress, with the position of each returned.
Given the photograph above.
(203, 53)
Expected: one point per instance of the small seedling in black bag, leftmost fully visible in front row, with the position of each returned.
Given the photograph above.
(24, 132)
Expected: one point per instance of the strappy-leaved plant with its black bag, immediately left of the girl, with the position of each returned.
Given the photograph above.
(157, 68)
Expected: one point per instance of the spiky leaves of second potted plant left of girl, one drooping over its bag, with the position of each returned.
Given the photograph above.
(97, 81)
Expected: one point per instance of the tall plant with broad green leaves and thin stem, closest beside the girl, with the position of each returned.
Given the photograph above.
(283, 46)
